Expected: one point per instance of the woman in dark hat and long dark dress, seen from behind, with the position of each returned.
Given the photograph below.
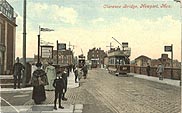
(38, 81)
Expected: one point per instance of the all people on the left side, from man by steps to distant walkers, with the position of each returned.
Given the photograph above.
(50, 79)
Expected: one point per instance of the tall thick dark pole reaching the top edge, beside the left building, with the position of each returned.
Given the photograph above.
(24, 43)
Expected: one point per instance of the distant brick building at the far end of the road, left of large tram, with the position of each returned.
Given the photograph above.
(96, 56)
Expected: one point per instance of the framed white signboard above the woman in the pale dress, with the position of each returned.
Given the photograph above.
(46, 52)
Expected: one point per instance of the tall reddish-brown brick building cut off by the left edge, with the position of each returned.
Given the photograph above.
(7, 37)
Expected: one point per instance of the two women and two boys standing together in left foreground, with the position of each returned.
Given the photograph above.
(50, 79)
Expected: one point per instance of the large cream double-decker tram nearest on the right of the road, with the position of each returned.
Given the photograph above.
(118, 61)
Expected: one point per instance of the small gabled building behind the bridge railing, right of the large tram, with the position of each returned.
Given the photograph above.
(142, 60)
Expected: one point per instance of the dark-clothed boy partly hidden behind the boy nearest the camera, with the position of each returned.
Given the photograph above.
(65, 78)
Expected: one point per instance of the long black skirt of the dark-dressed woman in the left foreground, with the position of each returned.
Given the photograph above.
(38, 94)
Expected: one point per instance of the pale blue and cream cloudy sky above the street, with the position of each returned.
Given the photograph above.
(147, 25)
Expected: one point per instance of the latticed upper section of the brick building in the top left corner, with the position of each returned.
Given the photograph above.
(6, 9)
